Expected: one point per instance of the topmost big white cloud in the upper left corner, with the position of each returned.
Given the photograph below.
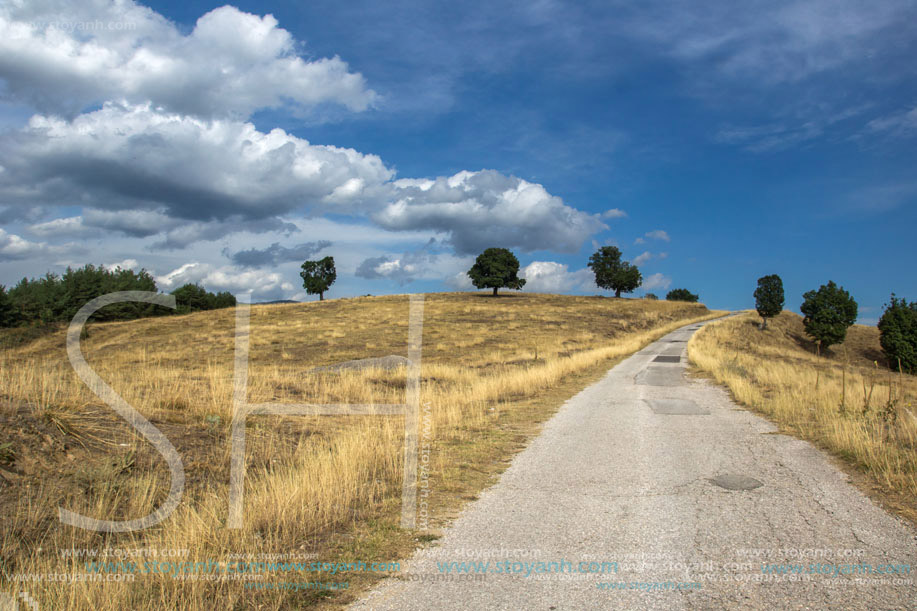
(62, 56)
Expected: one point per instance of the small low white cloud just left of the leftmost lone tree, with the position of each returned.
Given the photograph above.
(225, 278)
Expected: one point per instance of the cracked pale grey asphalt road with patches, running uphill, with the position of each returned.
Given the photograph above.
(657, 473)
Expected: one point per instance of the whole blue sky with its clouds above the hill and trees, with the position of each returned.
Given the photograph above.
(223, 144)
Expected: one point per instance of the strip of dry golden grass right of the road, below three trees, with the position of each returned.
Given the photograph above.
(848, 402)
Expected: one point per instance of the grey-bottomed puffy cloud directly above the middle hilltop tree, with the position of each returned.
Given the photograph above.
(482, 209)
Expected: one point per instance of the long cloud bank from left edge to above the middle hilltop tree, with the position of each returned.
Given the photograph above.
(144, 171)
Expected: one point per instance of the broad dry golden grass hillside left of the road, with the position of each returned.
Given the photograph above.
(316, 488)
